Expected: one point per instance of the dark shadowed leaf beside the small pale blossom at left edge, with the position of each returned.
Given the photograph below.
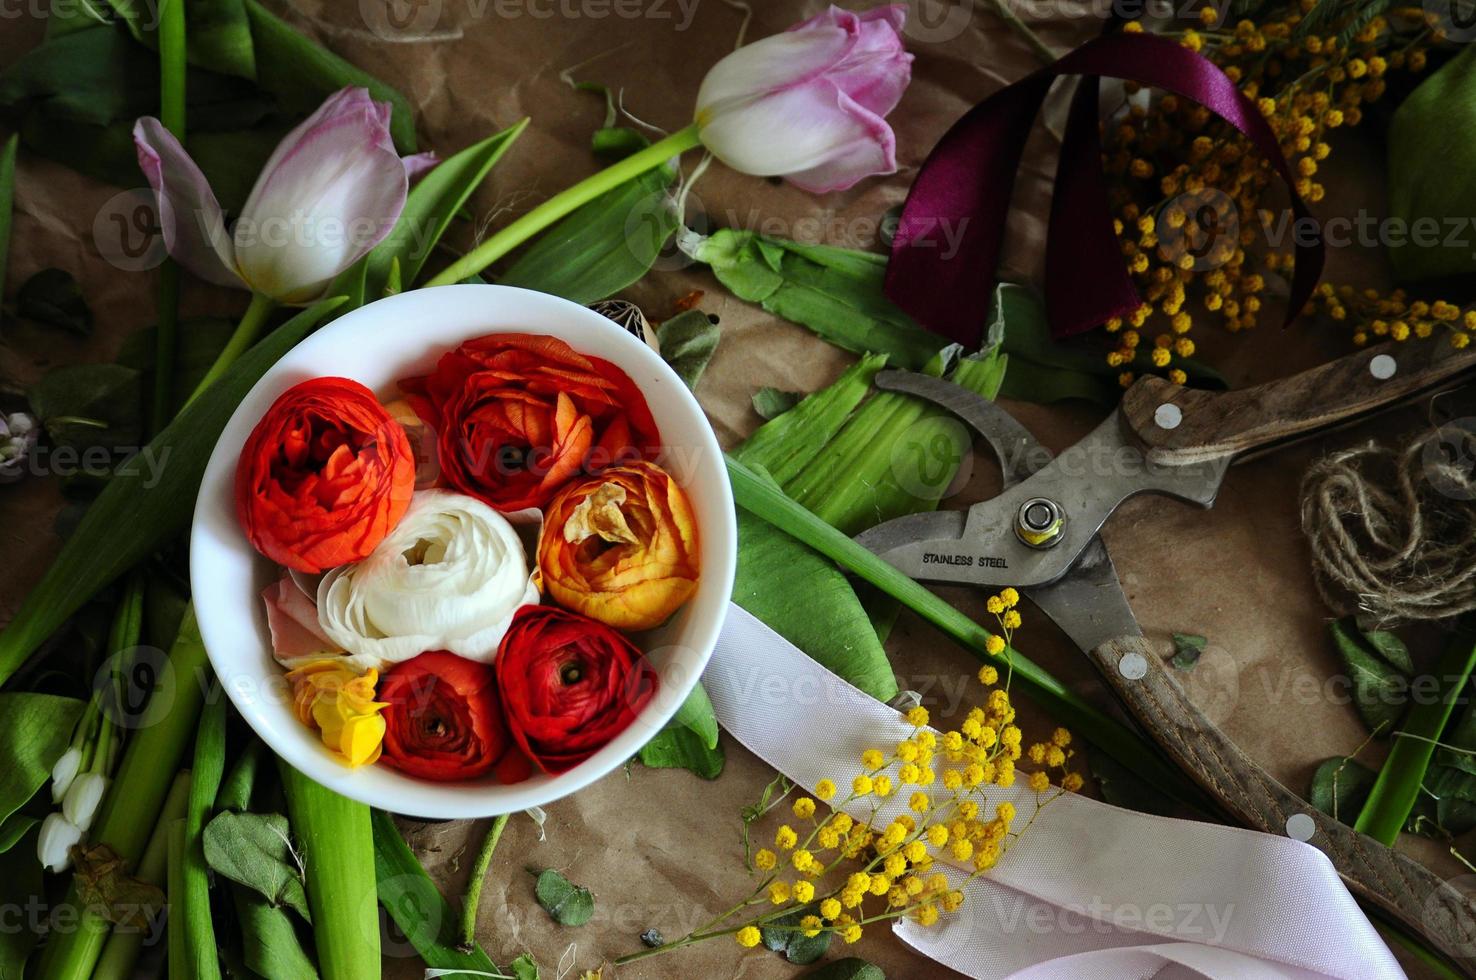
(91, 405)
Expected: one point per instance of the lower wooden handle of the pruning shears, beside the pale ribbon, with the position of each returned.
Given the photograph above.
(1407, 891)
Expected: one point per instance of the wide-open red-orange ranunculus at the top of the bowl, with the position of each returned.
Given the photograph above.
(520, 415)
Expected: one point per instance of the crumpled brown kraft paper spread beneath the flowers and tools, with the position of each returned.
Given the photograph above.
(662, 849)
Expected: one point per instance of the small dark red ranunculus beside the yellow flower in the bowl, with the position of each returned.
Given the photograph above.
(442, 718)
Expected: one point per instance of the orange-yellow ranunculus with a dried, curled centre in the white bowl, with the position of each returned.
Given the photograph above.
(621, 547)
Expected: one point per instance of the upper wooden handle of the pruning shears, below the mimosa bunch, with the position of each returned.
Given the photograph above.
(1186, 426)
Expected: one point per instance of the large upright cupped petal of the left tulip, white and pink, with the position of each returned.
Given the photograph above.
(331, 191)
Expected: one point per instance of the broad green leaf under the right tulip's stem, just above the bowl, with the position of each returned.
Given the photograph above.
(603, 247)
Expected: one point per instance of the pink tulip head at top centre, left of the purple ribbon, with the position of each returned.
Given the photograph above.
(811, 104)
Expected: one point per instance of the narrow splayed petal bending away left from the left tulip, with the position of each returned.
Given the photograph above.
(190, 216)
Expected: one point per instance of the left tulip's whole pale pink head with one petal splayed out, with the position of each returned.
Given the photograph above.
(330, 193)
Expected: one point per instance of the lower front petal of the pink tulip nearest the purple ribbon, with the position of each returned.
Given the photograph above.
(817, 137)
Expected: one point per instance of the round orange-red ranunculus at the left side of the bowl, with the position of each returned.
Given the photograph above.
(324, 476)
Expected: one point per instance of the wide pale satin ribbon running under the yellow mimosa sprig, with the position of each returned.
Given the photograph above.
(1090, 892)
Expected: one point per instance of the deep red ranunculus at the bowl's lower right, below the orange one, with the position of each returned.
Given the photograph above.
(569, 686)
